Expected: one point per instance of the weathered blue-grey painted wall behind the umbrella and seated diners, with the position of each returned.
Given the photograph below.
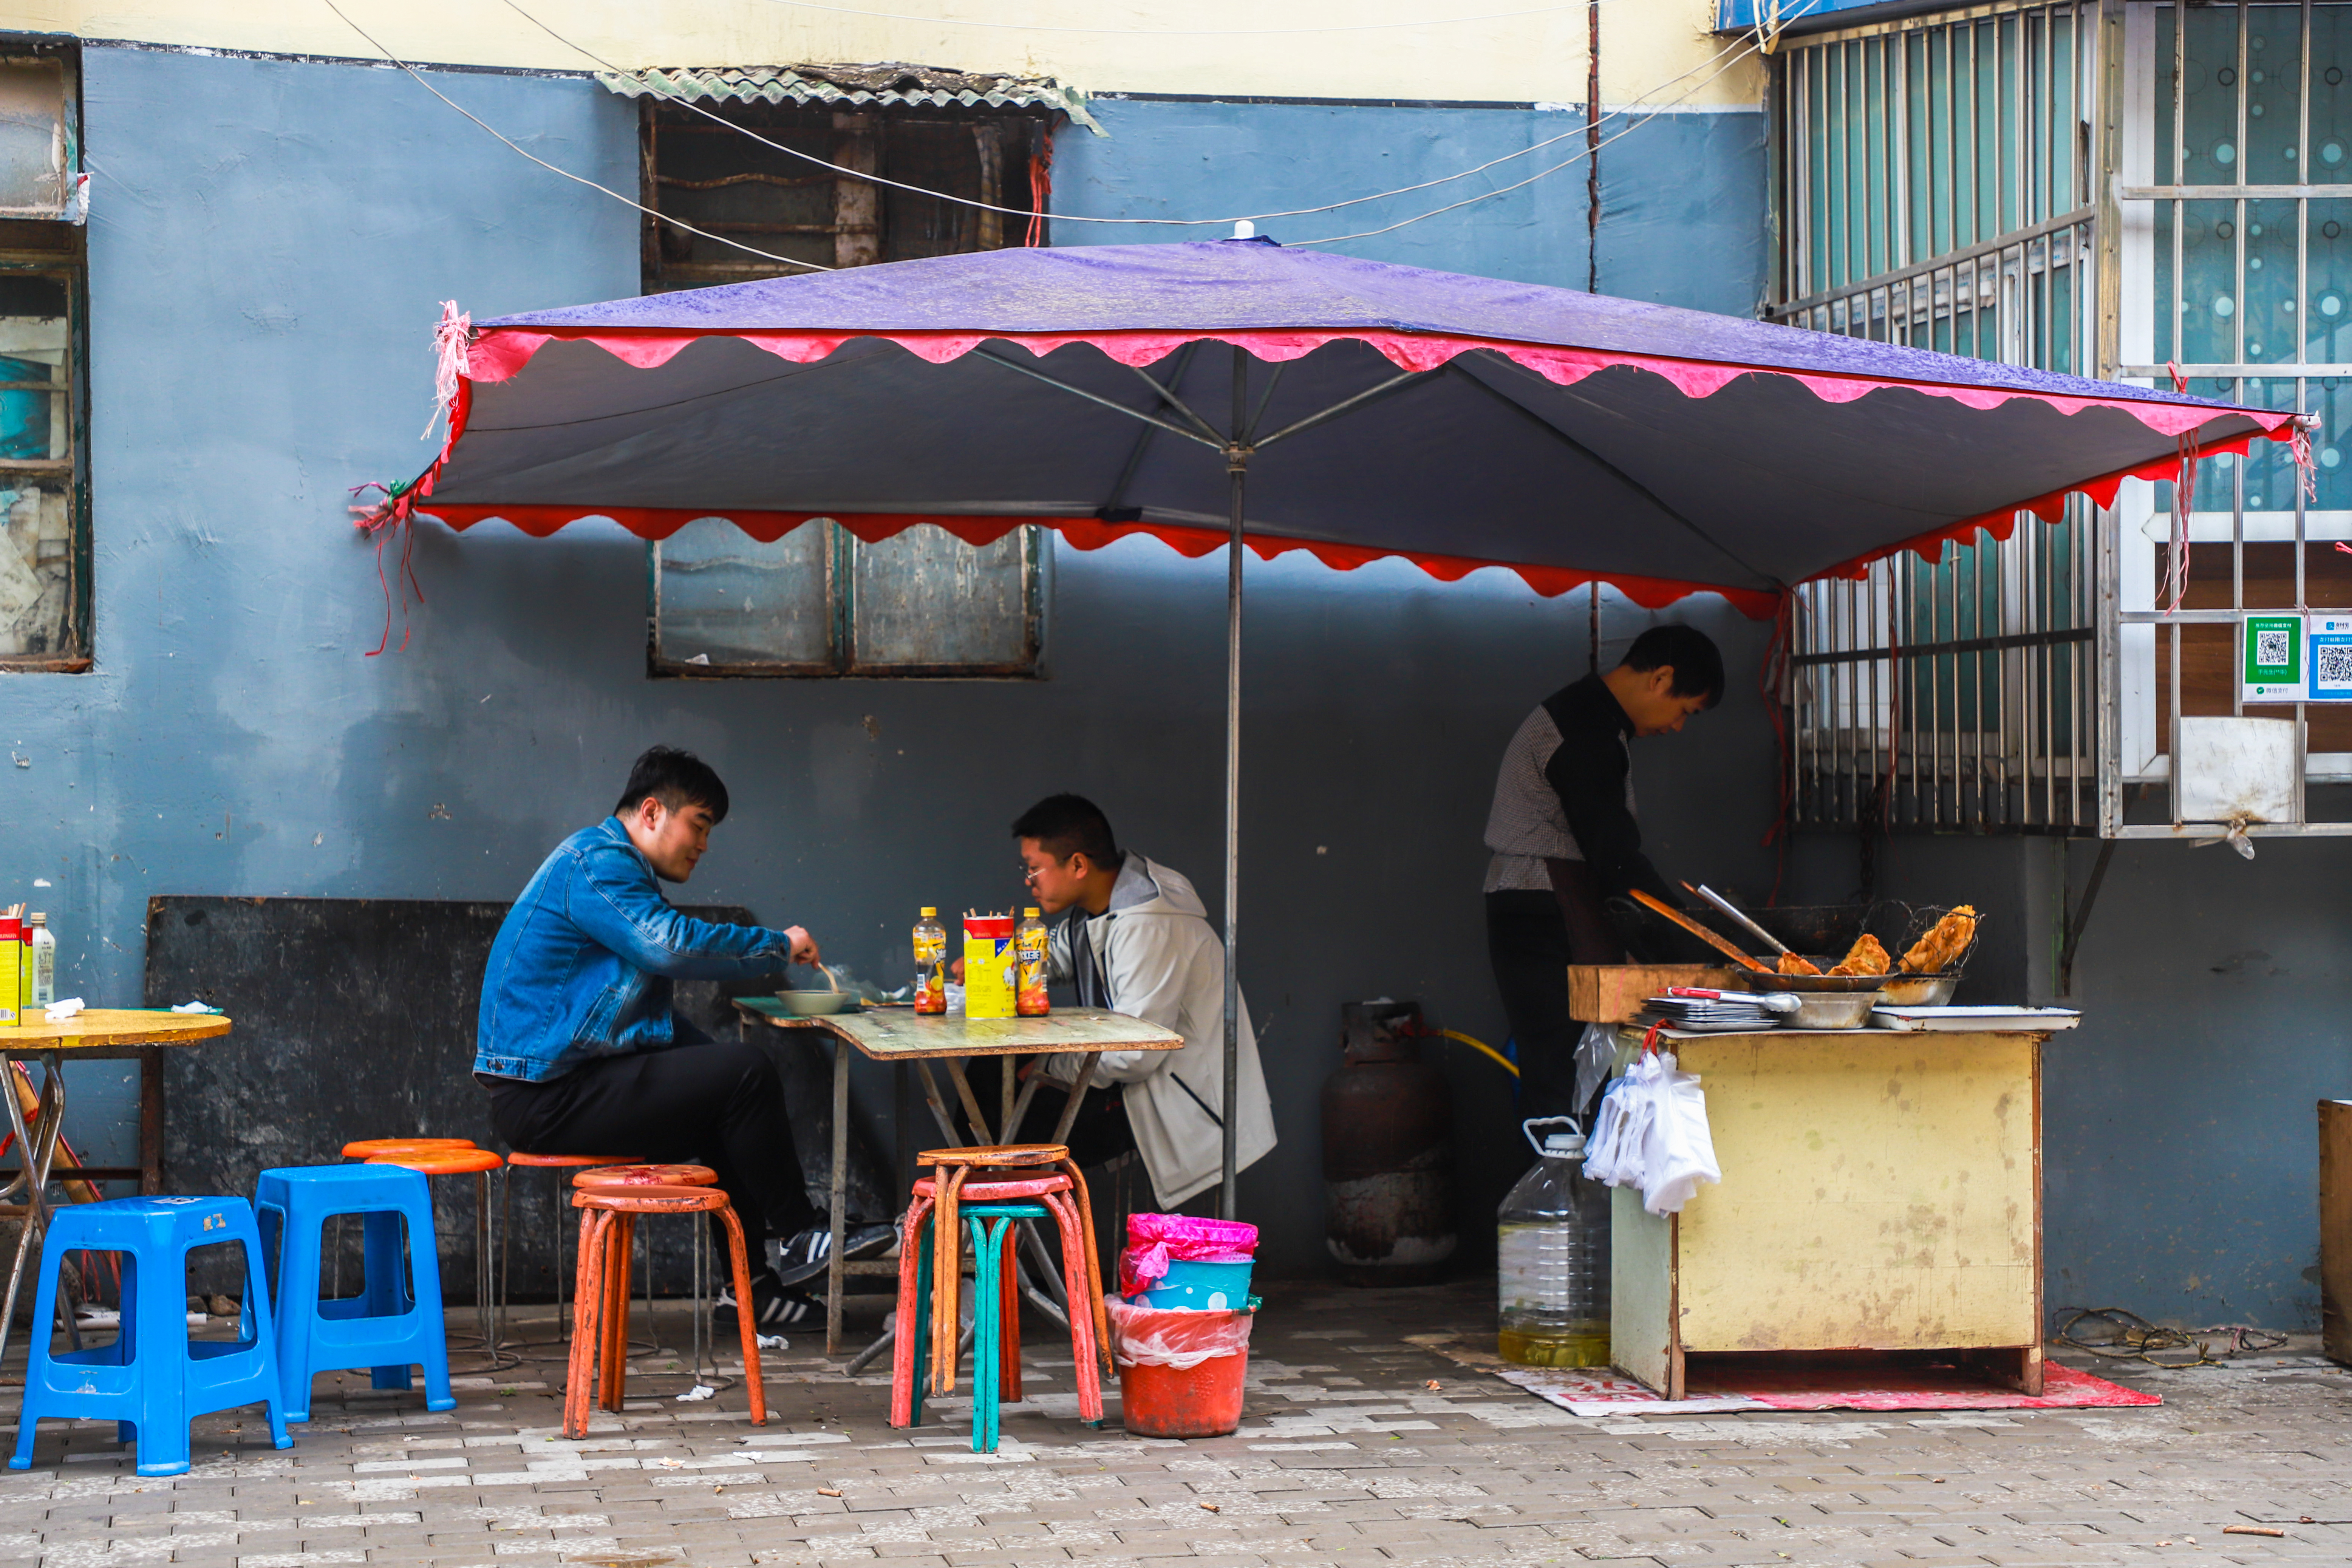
(269, 250)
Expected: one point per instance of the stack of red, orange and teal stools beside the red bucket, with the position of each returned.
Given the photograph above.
(989, 1212)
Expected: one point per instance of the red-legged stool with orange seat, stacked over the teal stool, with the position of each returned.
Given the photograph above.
(1062, 1198)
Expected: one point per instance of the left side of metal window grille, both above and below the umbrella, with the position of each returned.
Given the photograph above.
(1935, 189)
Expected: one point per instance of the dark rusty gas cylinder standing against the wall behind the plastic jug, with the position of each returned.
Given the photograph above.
(1389, 1155)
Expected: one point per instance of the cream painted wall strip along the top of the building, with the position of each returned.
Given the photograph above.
(1290, 48)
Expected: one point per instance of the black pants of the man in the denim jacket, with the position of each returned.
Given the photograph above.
(716, 1106)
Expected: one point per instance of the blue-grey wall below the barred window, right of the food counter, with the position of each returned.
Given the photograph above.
(2179, 1120)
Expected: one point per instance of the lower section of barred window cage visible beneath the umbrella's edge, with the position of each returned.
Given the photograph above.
(1953, 697)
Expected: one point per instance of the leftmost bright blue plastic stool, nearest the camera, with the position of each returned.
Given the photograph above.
(154, 1379)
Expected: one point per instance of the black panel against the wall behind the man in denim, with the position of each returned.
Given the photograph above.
(354, 1019)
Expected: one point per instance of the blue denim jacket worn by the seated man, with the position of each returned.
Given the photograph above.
(584, 963)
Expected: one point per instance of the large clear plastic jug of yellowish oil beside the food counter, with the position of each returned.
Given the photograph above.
(1556, 1259)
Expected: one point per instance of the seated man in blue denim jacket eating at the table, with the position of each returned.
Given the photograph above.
(584, 1054)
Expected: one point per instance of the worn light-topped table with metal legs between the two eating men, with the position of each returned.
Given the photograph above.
(902, 1036)
